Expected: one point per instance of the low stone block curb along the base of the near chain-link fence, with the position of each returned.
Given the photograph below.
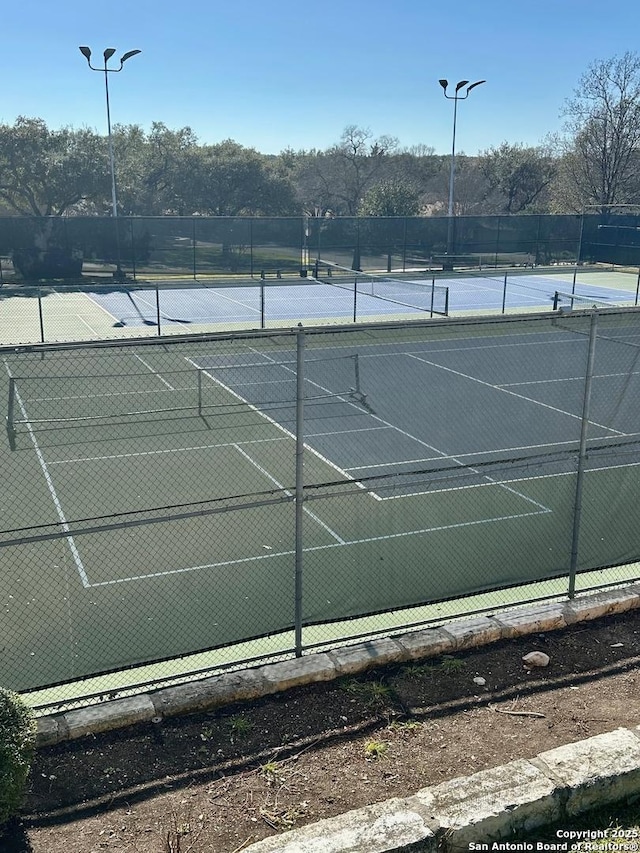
(261, 681)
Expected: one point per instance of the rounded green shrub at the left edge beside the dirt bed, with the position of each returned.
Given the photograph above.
(17, 746)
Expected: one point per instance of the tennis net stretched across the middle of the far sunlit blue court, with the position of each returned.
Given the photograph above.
(421, 296)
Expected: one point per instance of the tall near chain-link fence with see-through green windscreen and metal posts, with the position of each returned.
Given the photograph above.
(178, 506)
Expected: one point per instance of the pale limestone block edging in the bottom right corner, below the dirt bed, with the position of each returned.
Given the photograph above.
(520, 797)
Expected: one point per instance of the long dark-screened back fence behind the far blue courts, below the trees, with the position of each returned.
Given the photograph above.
(157, 247)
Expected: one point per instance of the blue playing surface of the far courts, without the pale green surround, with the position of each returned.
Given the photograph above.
(309, 300)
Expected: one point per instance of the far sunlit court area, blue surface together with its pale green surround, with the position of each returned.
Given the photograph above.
(332, 295)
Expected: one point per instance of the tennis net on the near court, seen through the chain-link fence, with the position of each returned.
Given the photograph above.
(223, 390)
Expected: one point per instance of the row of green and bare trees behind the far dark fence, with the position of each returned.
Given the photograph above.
(593, 163)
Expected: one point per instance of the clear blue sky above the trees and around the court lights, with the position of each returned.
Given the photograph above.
(285, 73)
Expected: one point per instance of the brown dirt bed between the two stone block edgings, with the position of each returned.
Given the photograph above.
(219, 781)
